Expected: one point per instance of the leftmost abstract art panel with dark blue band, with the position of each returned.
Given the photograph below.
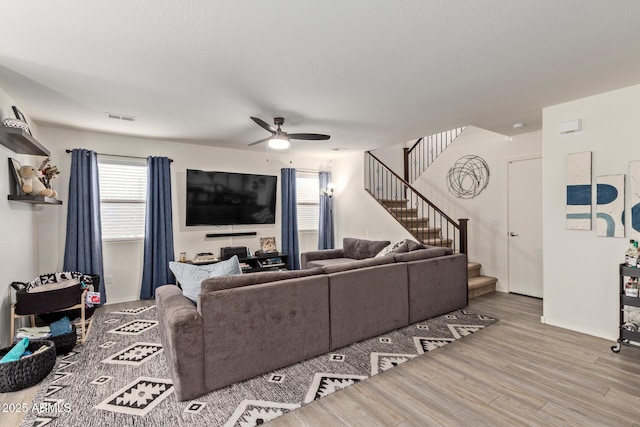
(579, 191)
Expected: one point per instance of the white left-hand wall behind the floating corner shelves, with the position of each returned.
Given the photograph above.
(18, 254)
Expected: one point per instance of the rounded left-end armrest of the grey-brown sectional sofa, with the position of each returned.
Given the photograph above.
(181, 333)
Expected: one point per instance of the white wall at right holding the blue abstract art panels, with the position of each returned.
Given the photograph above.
(581, 269)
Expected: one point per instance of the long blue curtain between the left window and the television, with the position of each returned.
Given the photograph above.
(158, 235)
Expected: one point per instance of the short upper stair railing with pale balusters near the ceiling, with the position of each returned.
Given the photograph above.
(425, 150)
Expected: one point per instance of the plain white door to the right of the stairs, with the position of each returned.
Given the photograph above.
(525, 227)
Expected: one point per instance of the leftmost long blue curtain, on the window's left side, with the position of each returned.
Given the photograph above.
(83, 245)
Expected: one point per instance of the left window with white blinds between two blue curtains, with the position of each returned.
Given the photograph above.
(123, 194)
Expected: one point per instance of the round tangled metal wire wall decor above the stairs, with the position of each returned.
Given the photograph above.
(468, 177)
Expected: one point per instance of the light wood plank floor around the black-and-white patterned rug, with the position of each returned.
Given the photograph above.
(516, 372)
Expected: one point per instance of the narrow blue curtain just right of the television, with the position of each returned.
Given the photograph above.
(290, 217)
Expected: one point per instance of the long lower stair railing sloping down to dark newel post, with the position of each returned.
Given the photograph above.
(411, 209)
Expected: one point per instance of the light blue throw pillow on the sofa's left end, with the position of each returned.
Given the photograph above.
(191, 276)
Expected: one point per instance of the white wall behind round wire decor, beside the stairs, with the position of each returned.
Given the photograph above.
(487, 212)
